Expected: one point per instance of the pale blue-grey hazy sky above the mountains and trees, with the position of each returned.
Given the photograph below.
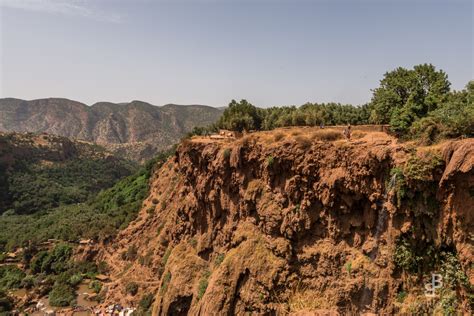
(270, 52)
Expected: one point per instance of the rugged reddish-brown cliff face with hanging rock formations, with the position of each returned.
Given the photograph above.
(280, 223)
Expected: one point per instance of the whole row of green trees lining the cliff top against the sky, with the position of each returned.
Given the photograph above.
(417, 103)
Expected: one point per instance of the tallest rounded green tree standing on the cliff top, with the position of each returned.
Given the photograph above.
(405, 95)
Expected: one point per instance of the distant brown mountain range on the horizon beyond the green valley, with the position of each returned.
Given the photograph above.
(135, 130)
